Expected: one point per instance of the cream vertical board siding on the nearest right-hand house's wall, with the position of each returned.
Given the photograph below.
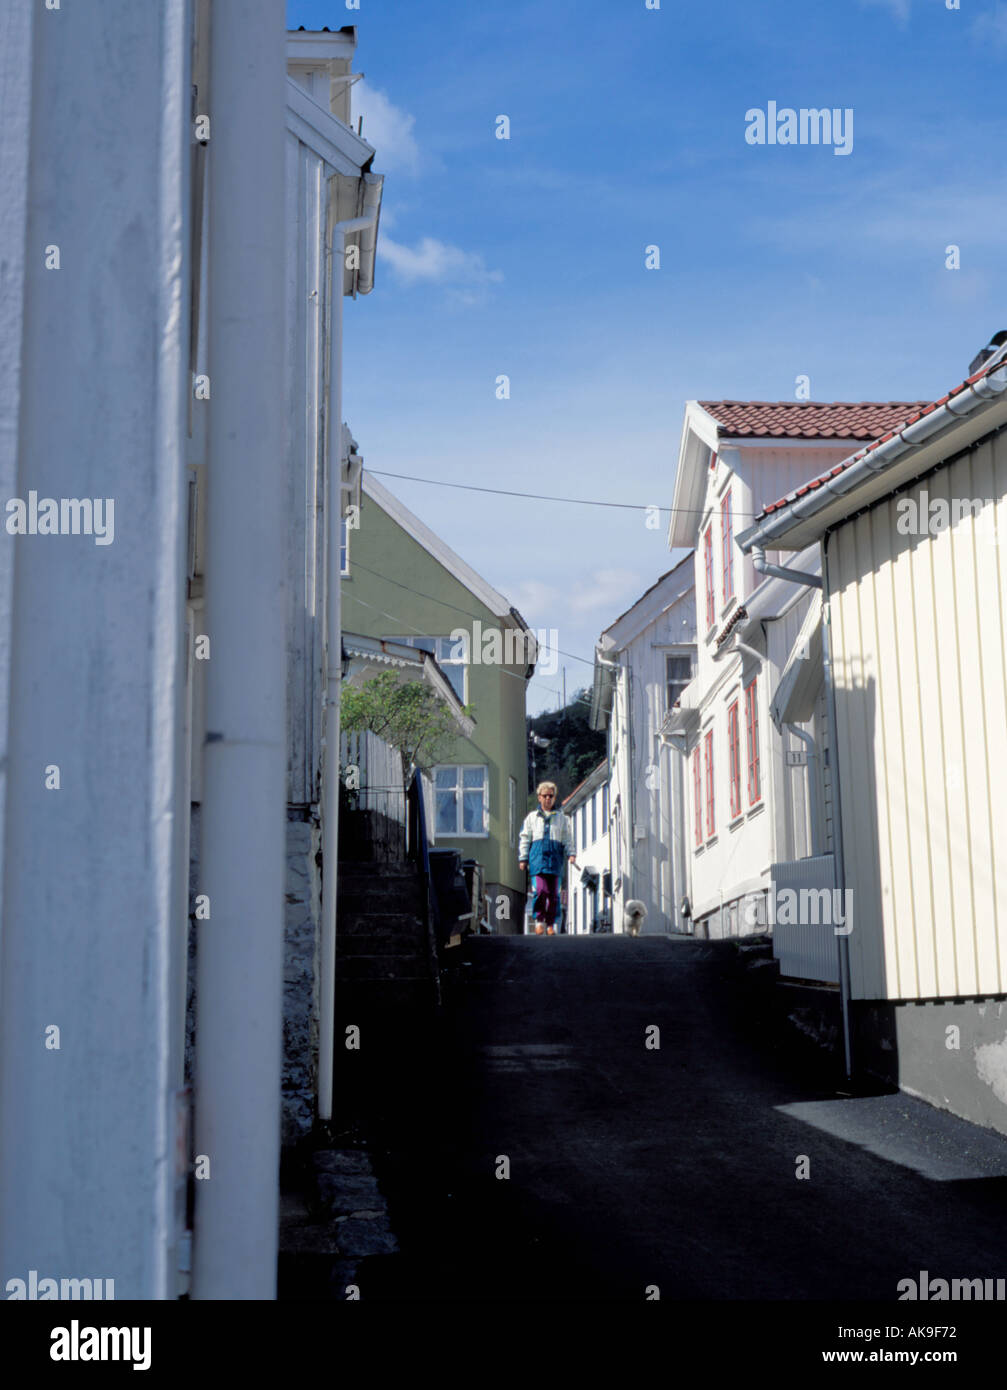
(921, 689)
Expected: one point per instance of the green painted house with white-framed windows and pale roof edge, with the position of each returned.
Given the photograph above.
(403, 583)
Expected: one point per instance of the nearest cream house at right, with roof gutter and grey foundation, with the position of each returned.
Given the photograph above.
(910, 532)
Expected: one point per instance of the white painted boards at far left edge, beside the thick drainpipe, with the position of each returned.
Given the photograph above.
(94, 875)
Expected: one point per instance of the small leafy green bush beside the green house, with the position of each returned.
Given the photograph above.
(408, 715)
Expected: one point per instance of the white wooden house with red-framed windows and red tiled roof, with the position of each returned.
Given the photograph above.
(755, 789)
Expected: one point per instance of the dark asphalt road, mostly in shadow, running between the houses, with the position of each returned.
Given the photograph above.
(674, 1167)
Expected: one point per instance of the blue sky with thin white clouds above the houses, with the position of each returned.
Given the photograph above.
(526, 256)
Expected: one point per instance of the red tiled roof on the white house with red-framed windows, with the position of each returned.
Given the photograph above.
(809, 419)
